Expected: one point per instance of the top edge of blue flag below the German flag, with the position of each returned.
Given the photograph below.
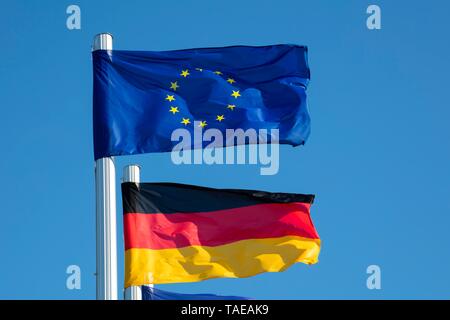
(149, 293)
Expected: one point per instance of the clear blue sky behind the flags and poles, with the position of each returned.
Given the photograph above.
(377, 159)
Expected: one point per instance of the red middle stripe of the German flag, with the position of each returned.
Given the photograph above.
(177, 230)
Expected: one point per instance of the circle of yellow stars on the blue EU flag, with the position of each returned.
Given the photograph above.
(174, 86)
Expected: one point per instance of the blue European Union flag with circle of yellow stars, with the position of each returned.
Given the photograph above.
(141, 97)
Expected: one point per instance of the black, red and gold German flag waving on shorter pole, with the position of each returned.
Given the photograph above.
(184, 233)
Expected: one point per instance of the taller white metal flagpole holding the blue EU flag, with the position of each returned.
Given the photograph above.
(105, 190)
